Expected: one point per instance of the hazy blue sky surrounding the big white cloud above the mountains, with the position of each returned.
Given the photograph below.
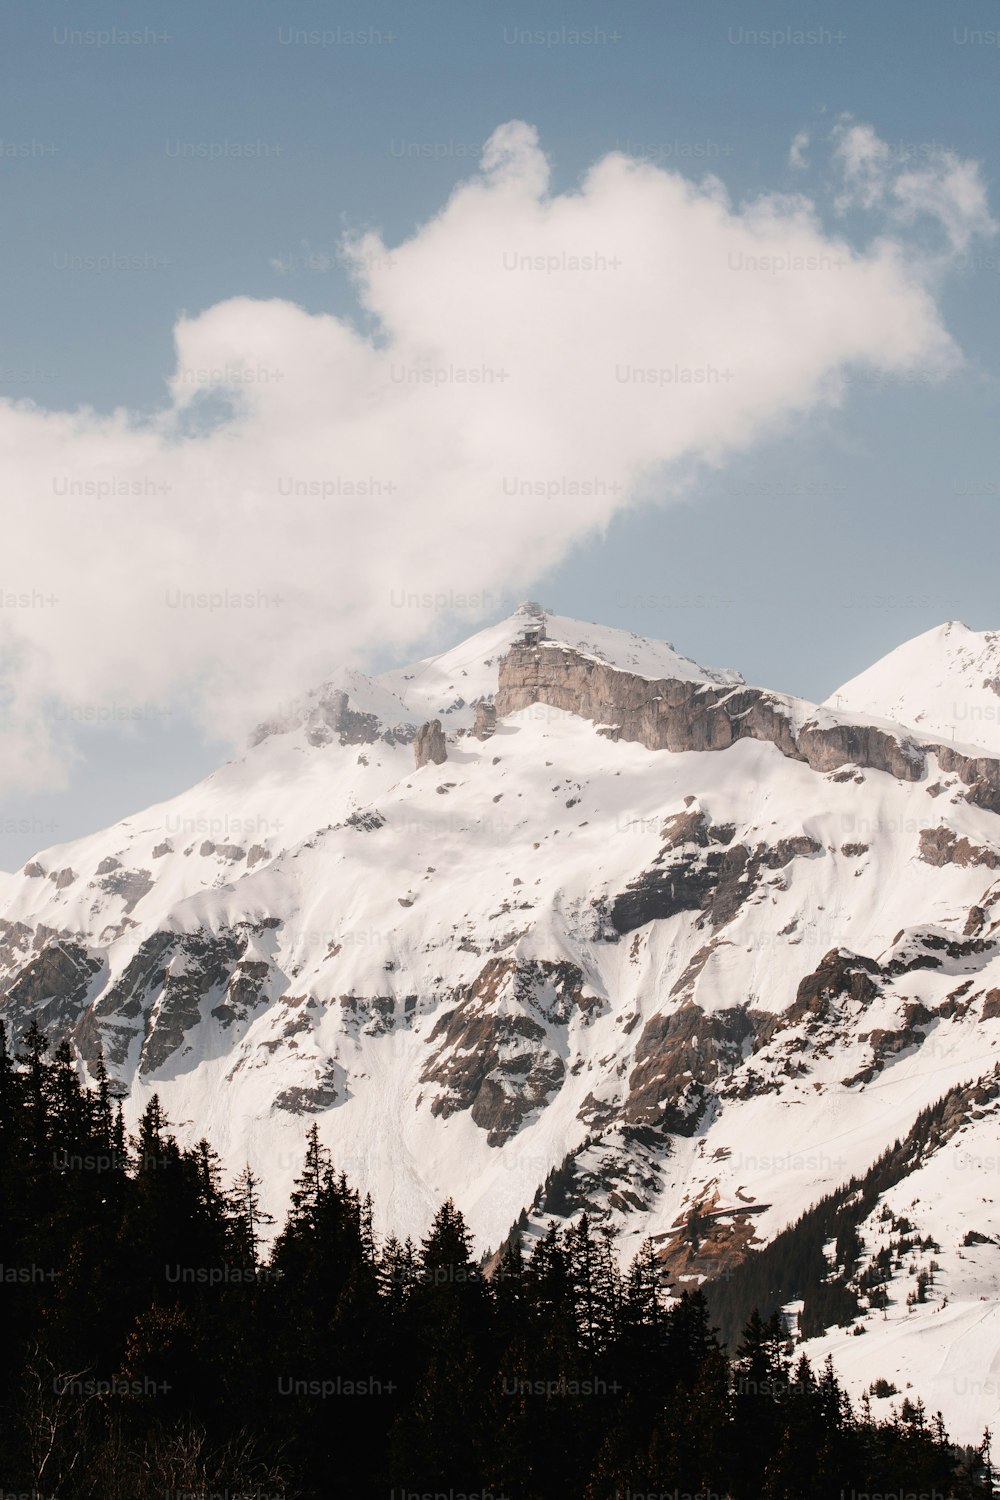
(226, 148)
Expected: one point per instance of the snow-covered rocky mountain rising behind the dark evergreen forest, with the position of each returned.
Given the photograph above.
(563, 919)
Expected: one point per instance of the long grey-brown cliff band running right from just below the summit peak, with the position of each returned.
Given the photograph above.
(671, 715)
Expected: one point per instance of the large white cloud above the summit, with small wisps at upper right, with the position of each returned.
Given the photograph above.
(584, 341)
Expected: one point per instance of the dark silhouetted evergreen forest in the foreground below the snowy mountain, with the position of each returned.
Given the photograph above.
(152, 1349)
